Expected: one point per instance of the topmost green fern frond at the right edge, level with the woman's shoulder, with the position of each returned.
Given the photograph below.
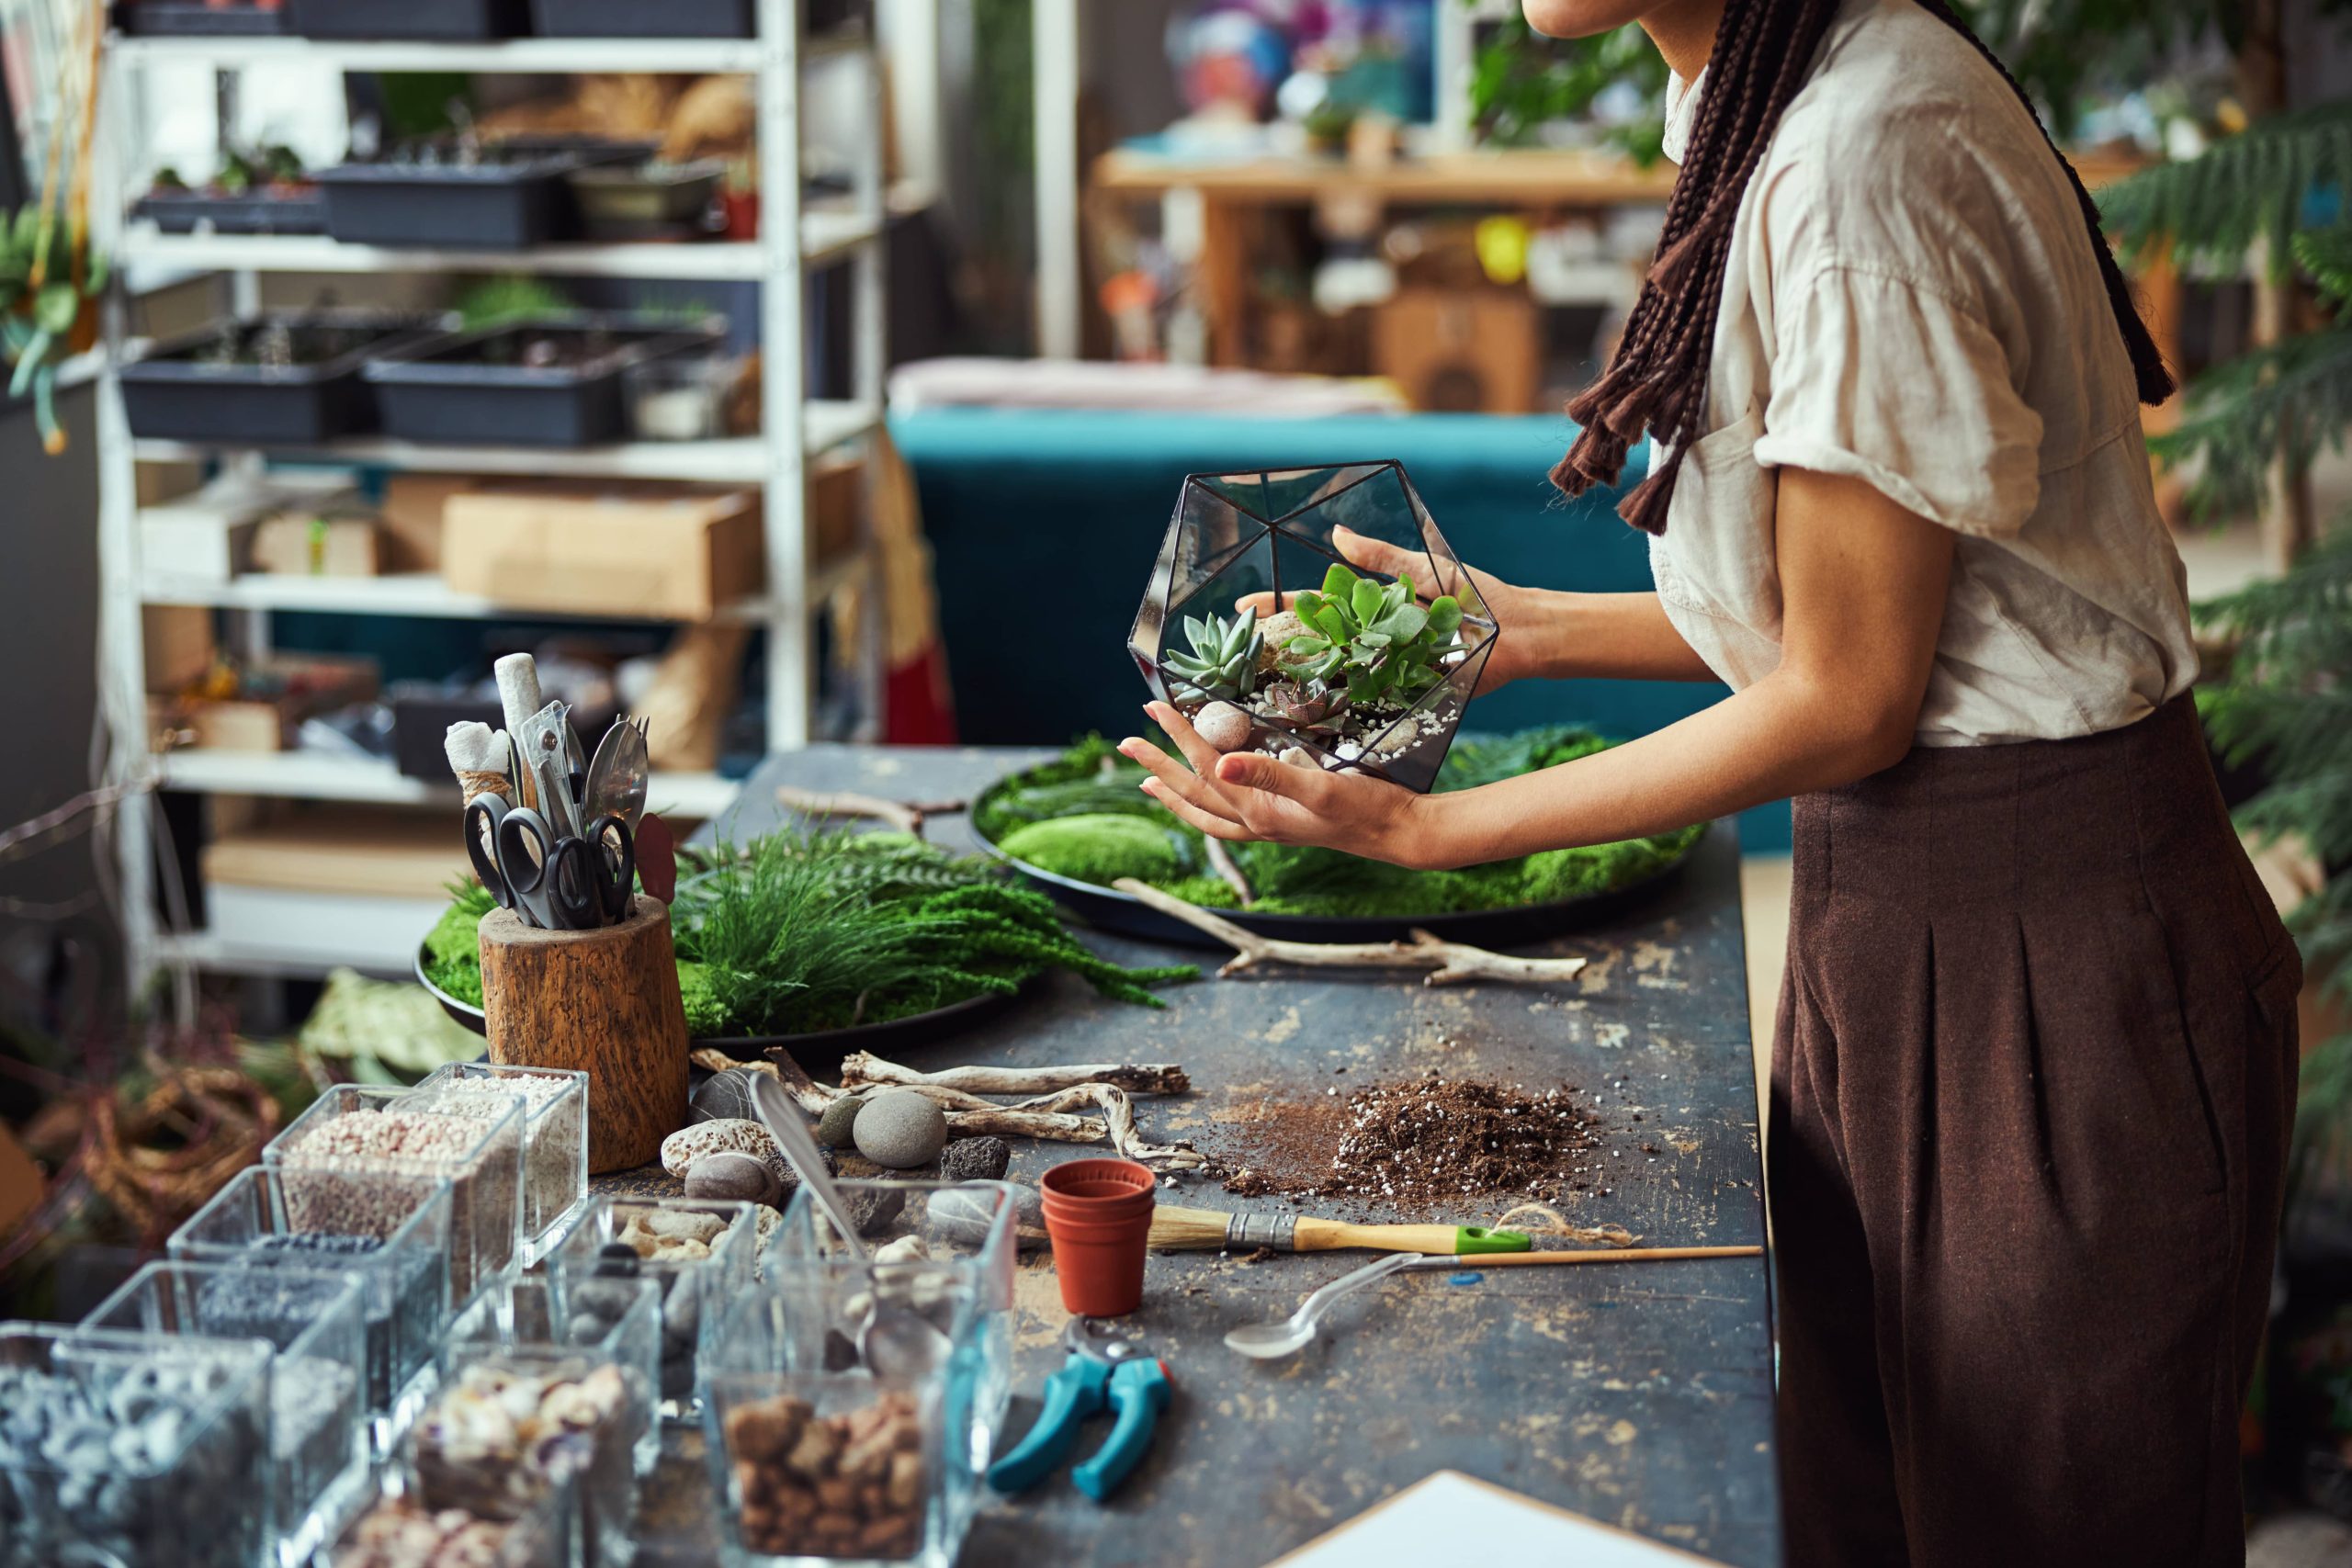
(2250, 187)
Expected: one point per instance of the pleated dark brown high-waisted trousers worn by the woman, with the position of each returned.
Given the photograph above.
(2029, 1123)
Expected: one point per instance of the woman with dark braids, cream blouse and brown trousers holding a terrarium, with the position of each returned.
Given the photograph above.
(2036, 1054)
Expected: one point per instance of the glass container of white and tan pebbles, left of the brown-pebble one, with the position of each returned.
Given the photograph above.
(514, 1423)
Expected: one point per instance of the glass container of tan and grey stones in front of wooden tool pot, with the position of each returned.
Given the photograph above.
(702, 1254)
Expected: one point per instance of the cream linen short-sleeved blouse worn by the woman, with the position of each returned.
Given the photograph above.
(1913, 302)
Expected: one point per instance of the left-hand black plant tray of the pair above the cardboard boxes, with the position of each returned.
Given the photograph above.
(175, 396)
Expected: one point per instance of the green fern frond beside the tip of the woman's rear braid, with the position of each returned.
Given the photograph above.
(2292, 398)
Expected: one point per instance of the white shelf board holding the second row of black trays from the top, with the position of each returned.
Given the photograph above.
(824, 236)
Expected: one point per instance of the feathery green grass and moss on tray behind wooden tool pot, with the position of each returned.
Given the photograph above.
(808, 932)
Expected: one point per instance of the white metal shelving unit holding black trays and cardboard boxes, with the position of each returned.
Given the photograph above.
(796, 239)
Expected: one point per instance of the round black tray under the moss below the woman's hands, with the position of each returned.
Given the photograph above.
(1518, 927)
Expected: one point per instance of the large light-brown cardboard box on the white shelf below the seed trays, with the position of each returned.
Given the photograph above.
(653, 551)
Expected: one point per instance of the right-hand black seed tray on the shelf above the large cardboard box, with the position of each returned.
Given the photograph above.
(446, 394)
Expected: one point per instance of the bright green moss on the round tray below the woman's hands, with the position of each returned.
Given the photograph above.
(1083, 817)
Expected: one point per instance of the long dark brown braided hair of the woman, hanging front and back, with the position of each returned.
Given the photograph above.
(1659, 377)
